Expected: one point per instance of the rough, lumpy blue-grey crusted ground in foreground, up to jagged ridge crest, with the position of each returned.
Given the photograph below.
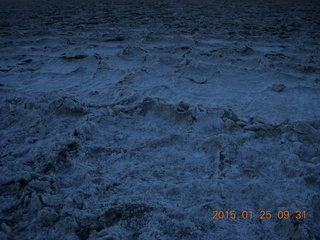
(152, 169)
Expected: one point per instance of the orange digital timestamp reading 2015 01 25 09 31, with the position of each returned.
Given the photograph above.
(263, 214)
